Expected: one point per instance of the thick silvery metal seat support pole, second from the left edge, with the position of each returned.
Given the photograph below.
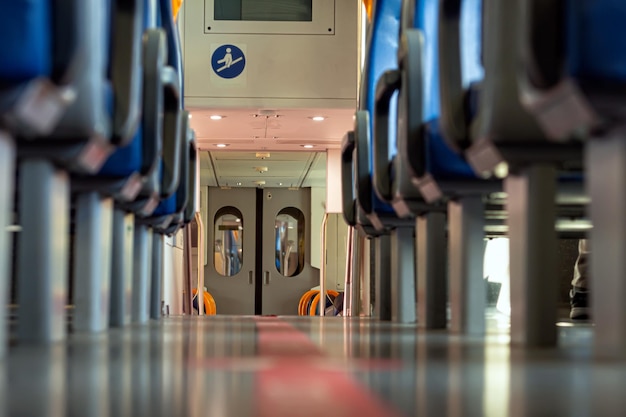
(43, 251)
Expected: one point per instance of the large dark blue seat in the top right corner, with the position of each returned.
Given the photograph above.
(572, 84)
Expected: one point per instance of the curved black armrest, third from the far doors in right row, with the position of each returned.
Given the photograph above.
(387, 85)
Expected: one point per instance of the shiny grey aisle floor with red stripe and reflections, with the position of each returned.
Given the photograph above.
(290, 366)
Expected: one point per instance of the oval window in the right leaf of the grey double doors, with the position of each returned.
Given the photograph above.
(289, 241)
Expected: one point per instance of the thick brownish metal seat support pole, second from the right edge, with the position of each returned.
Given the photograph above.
(533, 248)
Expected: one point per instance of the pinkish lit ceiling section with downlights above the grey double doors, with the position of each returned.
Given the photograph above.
(281, 132)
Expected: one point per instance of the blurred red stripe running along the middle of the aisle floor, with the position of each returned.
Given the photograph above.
(303, 387)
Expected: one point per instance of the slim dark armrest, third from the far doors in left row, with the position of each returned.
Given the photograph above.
(172, 119)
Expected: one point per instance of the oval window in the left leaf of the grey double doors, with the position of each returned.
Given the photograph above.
(228, 241)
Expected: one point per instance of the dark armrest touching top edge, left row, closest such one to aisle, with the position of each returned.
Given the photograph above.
(126, 72)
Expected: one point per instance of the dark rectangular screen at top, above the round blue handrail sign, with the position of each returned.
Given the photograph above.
(264, 10)
